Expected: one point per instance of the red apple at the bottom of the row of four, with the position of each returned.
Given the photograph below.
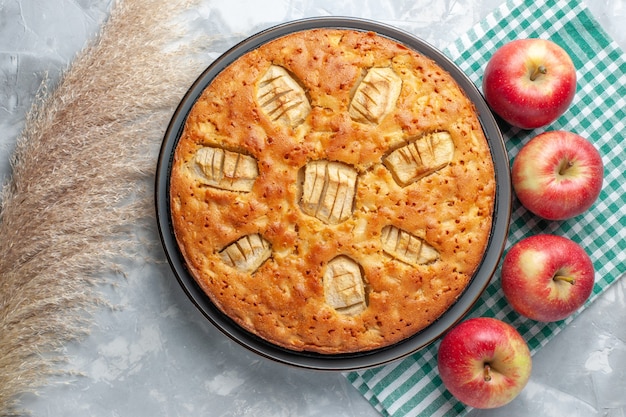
(484, 362)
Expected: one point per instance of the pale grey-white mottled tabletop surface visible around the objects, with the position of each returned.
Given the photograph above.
(158, 356)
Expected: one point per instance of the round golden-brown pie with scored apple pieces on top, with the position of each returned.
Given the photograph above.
(332, 191)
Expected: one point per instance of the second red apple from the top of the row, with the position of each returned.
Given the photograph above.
(557, 175)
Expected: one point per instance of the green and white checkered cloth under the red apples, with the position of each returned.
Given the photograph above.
(411, 387)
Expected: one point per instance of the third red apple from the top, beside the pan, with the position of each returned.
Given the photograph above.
(547, 277)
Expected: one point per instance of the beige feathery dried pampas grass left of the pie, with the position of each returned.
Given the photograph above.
(81, 185)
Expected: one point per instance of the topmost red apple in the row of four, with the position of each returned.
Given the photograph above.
(529, 82)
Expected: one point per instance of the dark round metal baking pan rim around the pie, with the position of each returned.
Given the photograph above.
(348, 361)
